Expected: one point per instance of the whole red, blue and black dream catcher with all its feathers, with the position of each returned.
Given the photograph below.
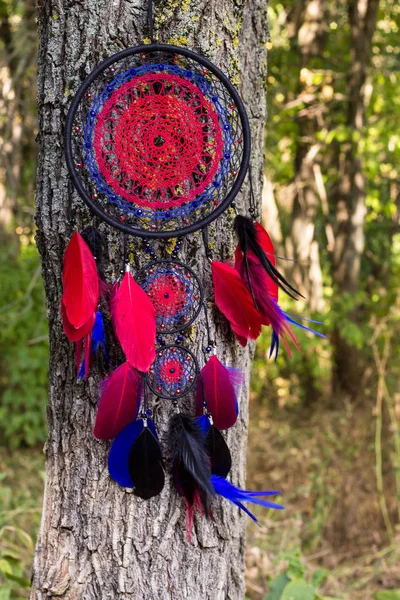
(157, 145)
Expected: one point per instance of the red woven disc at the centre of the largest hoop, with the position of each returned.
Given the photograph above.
(158, 141)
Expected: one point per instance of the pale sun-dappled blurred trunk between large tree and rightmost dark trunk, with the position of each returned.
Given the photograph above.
(308, 34)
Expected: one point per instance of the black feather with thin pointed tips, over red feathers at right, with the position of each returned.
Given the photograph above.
(247, 235)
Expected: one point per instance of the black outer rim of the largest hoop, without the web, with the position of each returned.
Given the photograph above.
(147, 49)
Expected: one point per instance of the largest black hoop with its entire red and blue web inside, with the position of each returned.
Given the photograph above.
(157, 141)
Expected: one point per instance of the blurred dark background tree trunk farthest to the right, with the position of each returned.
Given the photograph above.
(350, 197)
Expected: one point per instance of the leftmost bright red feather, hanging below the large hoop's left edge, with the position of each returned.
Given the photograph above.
(80, 281)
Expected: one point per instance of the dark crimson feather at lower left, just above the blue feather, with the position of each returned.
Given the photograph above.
(119, 402)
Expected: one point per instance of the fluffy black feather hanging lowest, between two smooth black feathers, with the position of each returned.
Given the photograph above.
(190, 462)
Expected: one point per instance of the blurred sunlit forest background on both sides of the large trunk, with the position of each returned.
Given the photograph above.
(325, 425)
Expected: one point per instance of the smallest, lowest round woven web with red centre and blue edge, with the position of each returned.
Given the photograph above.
(173, 373)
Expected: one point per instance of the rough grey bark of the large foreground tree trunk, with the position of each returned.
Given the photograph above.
(97, 540)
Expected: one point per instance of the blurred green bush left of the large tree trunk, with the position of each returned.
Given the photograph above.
(23, 347)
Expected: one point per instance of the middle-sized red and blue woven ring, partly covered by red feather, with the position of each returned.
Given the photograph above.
(175, 293)
